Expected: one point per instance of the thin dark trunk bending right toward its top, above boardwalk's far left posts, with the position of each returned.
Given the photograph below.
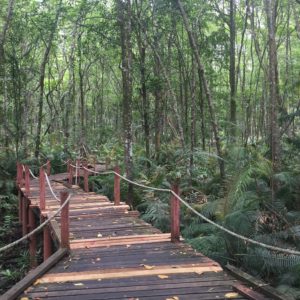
(42, 79)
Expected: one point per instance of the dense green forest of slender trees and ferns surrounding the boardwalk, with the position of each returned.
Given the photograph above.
(204, 93)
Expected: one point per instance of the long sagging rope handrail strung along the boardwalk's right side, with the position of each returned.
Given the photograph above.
(232, 233)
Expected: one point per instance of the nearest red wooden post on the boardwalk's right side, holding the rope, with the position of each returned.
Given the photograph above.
(175, 215)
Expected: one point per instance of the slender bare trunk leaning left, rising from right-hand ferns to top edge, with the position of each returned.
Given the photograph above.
(202, 77)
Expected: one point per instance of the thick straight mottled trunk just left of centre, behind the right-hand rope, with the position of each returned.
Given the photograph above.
(124, 12)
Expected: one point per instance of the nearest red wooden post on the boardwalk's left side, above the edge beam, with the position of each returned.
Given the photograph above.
(64, 221)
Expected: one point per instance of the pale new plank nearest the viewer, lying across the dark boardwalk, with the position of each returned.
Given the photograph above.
(121, 273)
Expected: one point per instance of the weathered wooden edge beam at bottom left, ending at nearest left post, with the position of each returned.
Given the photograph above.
(32, 276)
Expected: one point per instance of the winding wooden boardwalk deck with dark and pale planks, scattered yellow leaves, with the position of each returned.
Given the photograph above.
(115, 255)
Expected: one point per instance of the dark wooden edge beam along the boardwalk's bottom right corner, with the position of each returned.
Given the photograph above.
(258, 284)
